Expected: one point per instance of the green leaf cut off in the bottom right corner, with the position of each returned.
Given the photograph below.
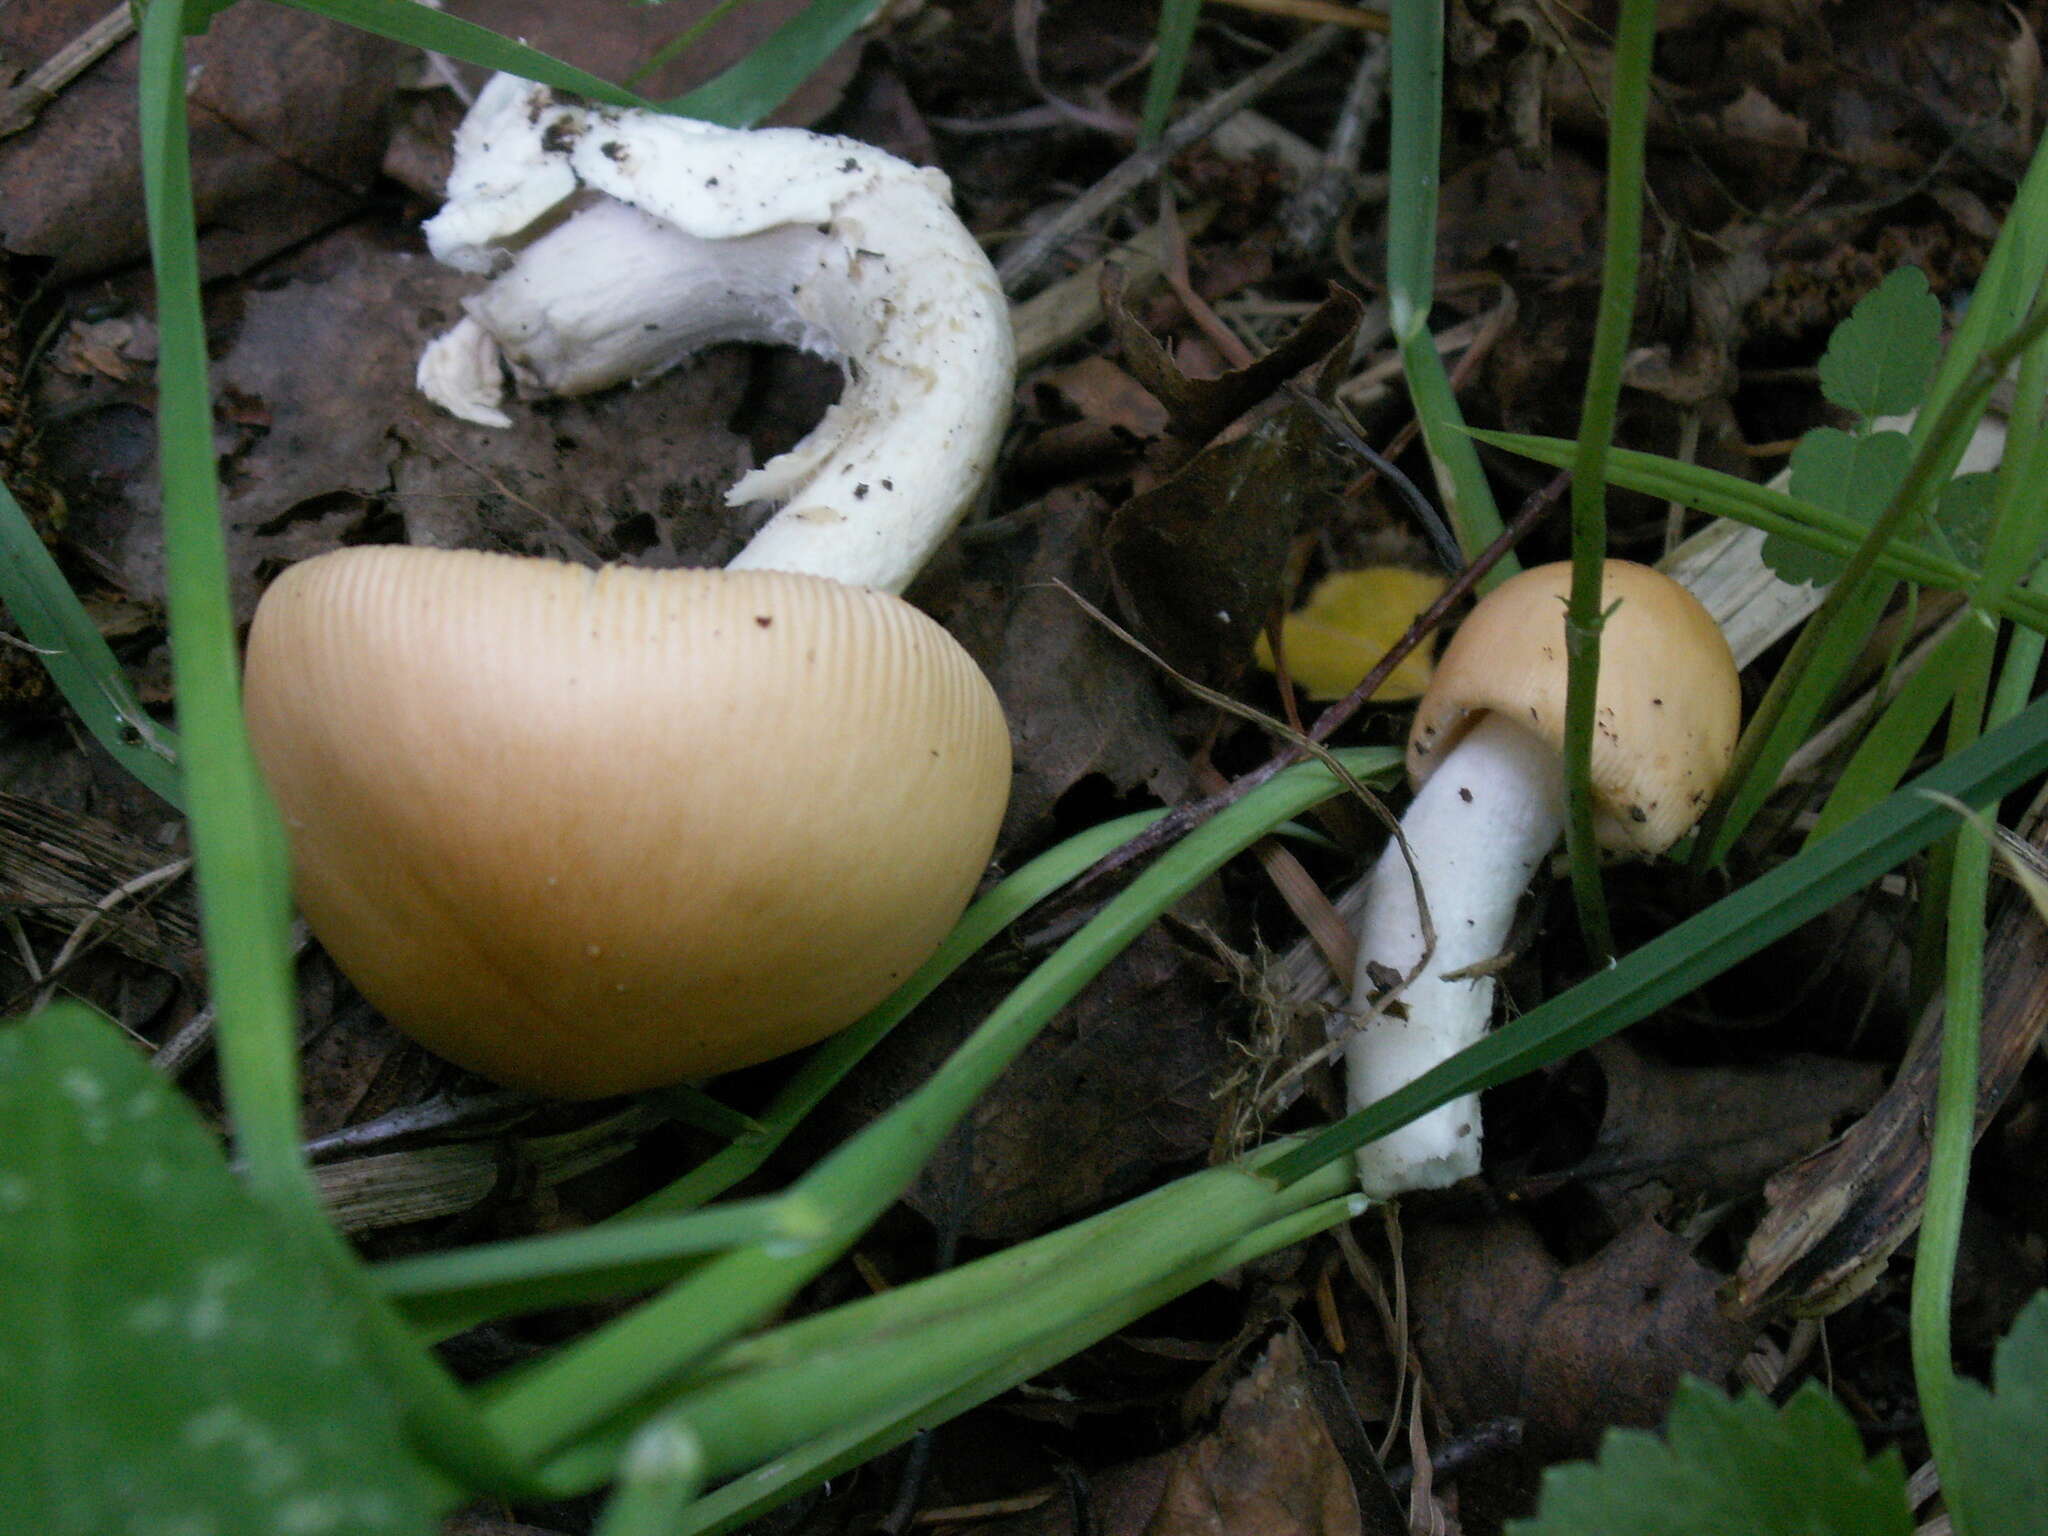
(2000, 1482)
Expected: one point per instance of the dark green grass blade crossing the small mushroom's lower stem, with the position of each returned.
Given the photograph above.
(1707, 945)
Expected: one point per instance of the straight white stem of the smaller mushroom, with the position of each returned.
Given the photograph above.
(1478, 828)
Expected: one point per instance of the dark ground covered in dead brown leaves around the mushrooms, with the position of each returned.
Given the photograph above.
(1433, 1361)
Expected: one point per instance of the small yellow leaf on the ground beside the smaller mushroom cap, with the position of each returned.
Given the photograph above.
(1347, 628)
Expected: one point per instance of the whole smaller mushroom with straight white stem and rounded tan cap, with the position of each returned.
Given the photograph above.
(1490, 804)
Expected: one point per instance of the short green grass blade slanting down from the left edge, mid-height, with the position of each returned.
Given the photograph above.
(79, 660)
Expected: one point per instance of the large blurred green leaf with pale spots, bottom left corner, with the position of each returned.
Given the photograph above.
(169, 1361)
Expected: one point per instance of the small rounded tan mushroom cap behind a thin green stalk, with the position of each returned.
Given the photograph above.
(1670, 699)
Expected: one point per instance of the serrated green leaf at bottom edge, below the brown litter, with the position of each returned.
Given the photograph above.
(1730, 1465)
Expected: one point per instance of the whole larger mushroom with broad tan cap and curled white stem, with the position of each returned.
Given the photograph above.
(591, 833)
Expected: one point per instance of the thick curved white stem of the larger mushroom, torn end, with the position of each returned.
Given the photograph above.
(677, 234)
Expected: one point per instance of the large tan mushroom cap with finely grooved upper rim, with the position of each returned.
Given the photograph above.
(591, 833)
